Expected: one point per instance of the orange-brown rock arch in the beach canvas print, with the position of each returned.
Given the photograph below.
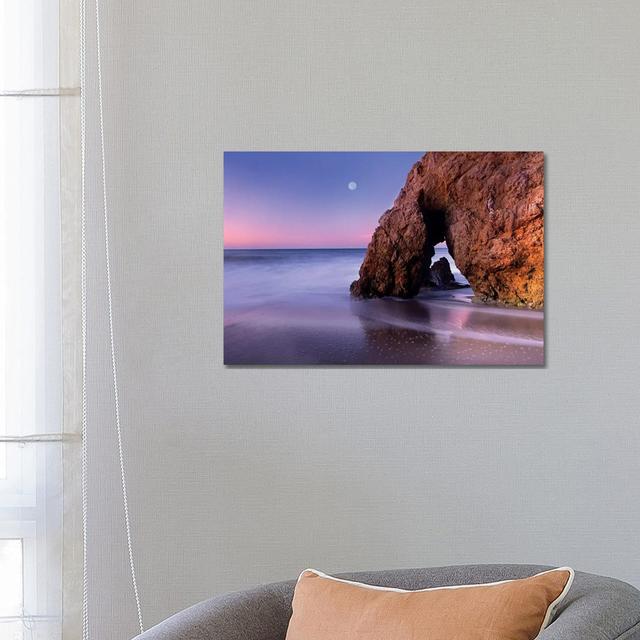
(488, 207)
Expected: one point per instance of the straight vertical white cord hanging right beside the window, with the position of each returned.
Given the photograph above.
(83, 288)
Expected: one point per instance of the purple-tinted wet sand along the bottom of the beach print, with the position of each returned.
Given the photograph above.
(435, 328)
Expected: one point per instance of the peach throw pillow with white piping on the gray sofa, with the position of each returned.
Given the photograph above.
(326, 608)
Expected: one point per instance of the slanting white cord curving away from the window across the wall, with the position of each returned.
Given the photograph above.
(113, 351)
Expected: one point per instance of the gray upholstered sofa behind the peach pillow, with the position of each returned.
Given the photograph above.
(596, 608)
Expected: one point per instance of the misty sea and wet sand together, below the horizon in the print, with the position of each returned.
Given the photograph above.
(293, 307)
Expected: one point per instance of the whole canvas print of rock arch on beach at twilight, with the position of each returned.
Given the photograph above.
(384, 258)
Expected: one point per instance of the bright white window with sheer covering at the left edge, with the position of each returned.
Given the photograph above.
(32, 340)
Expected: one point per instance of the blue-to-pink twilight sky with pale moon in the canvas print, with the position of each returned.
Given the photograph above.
(309, 200)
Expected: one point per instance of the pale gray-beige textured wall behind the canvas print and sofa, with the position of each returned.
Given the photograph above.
(239, 476)
